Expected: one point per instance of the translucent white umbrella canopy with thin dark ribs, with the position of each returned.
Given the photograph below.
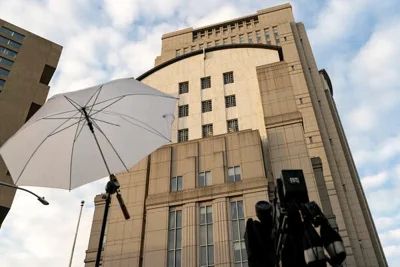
(57, 148)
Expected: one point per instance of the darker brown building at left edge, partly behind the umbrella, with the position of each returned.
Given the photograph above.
(27, 64)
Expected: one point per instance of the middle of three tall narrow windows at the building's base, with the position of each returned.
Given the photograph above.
(206, 237)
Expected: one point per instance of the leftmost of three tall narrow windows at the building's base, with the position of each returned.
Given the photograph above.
(174, 238)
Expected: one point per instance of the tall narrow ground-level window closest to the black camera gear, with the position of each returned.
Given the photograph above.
(238, 229)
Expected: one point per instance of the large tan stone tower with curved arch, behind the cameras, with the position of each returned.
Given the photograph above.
(251, 103)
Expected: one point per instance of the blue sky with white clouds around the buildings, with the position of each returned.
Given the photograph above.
(356, 41)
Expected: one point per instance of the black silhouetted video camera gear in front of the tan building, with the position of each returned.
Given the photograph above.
(285, 234)
